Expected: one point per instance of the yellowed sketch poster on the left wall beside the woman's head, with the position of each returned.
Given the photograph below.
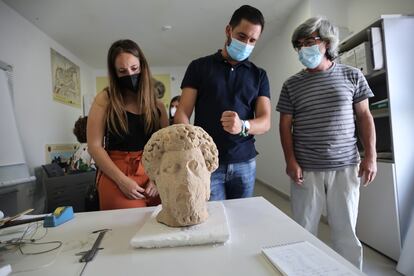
(65, 80)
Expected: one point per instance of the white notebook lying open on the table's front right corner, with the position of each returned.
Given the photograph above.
(303, 258)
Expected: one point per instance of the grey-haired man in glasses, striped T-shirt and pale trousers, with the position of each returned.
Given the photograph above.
(317, 130)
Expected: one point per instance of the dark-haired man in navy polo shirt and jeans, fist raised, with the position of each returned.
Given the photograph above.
(231, 99)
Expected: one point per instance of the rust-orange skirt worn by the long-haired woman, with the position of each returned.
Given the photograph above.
(110, 196)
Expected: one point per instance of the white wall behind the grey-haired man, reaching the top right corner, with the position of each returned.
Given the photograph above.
(280, 61)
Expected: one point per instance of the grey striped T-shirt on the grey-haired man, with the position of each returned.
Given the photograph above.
(321, 104)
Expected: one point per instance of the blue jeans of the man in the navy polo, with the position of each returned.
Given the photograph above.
(235, 180)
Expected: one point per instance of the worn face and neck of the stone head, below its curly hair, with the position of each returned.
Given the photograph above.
(184, 186)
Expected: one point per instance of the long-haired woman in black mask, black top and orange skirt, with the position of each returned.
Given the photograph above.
(126, 113)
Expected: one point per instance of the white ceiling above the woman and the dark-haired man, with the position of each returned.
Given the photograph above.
(88, 27)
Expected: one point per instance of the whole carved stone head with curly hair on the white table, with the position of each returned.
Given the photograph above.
(180, 159)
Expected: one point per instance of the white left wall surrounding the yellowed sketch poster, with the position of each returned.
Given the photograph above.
(40, 119)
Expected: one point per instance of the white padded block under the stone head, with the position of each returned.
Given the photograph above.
(214, 230)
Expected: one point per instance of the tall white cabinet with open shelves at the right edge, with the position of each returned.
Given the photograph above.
(386, 204)
